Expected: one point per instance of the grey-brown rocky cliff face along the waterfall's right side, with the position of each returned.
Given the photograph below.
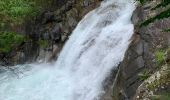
(147, 40)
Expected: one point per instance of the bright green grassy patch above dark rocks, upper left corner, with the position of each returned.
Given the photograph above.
(16, 11)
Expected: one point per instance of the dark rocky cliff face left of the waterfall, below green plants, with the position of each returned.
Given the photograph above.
(49, 31)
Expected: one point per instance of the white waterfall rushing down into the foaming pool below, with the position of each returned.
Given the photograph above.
(96, 46)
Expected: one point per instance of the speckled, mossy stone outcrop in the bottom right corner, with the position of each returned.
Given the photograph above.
(157, 86)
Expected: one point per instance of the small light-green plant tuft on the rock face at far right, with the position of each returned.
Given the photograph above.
(160, 57)
